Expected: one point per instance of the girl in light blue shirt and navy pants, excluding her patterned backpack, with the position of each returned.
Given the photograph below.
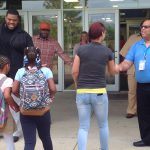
(31, 123)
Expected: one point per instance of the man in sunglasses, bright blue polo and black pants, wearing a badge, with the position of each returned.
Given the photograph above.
(139, 55)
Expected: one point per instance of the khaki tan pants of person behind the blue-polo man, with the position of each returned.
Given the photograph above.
(132, 102)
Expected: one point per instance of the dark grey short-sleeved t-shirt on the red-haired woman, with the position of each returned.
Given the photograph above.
(93, 61)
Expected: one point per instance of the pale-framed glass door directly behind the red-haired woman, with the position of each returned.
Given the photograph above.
(110, 18)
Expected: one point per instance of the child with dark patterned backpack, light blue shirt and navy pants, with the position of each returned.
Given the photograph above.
(35, 86)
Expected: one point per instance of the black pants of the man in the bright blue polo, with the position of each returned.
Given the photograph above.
(143, 111)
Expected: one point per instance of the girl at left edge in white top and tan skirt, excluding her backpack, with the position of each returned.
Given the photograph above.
(6, 88)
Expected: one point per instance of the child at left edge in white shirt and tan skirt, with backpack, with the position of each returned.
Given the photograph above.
(6, 100)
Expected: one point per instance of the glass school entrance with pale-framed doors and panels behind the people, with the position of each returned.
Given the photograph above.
(64, 31)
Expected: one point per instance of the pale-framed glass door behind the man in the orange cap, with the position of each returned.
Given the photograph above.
(54, 18)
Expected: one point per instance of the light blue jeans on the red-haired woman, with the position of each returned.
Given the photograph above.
(86, 104)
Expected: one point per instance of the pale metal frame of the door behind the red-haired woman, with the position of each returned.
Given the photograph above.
(110, 87)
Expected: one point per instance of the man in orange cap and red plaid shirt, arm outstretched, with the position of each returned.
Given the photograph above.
(49, 47)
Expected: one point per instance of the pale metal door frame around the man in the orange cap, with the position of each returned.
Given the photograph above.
(27, 15)
